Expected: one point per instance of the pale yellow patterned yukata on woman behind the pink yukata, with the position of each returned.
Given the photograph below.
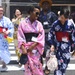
(16, 24)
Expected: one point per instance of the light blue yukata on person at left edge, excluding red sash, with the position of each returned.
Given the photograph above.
(4, 52)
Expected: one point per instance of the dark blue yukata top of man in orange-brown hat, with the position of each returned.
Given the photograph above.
(47, 19)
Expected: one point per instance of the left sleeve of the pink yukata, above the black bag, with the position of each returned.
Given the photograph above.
(20, 36)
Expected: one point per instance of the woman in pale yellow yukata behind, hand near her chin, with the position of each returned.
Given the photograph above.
(18, 17)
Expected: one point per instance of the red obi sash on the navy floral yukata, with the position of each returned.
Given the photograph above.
(62, 36)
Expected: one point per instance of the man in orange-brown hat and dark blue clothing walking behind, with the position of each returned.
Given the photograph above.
(47, 17)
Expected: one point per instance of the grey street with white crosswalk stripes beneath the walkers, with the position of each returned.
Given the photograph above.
(14, 69)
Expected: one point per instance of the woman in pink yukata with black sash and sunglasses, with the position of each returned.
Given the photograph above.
(31, 41)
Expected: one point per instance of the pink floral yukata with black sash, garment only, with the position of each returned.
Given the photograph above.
(33, 66)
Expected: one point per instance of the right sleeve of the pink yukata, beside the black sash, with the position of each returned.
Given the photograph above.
(41, 39)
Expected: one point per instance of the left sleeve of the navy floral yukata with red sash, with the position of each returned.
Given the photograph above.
(51, 36)
